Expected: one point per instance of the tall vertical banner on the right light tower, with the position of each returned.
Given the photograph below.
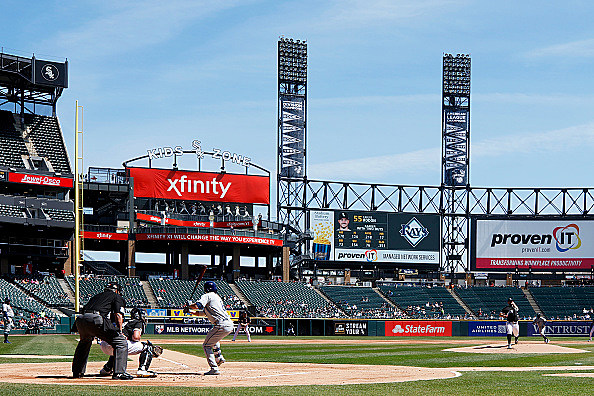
(455, 146)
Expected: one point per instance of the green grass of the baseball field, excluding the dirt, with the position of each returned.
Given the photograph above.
(426, 355)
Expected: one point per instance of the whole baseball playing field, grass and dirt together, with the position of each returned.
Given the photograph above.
(303, 365)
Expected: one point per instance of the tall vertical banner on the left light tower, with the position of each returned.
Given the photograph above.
(292, 113)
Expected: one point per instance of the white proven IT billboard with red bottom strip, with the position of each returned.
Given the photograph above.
(544, 245)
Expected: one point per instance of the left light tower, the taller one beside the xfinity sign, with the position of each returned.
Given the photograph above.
(291, 137)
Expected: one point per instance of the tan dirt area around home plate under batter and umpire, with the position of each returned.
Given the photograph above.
(180, 369)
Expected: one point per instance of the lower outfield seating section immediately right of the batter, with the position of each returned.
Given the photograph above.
(286, 300)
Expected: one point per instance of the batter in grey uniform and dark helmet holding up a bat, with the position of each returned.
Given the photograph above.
(215, 311)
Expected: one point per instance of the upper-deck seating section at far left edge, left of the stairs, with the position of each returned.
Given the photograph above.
(12, 145)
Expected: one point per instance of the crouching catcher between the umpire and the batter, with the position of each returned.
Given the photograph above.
(133, 330)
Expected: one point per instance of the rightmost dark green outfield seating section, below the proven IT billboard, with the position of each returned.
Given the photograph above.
(563, 302)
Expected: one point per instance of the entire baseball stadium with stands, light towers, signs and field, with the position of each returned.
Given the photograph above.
(323, 286)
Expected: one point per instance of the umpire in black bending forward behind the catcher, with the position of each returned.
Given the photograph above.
(94, 321)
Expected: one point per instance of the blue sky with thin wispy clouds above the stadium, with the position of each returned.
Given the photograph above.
(162, 73)
